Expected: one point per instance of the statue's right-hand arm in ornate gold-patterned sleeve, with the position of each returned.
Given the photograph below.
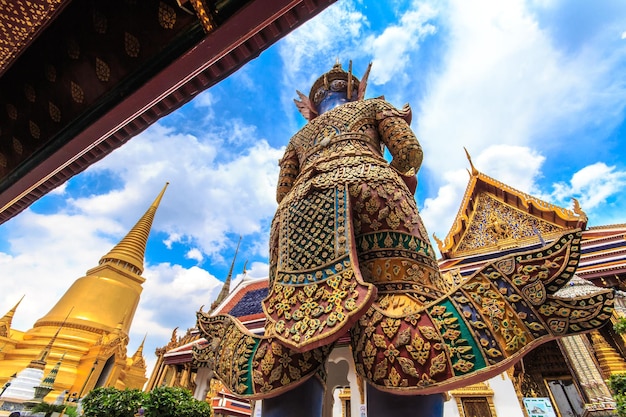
(396, 134)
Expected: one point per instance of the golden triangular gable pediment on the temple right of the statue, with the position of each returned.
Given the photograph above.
(494, 217)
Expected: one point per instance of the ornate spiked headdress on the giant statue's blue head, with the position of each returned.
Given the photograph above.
(334, 80)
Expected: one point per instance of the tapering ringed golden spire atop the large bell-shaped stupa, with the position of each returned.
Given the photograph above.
(132, 248)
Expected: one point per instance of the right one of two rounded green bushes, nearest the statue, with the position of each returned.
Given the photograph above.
(174, 402)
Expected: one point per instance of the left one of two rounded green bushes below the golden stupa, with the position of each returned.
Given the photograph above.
(111, 402)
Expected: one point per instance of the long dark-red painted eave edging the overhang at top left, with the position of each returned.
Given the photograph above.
(240, 39)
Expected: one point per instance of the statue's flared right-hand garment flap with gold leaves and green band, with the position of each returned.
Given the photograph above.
(478, 329)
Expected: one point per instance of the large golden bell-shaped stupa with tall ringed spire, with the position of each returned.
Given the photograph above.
(88, 327)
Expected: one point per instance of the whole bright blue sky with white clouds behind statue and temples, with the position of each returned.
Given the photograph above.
(535, 90)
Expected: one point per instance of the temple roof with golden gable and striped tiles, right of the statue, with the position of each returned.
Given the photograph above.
(497, 220)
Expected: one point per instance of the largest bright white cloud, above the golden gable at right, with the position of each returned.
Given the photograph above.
(503, 80)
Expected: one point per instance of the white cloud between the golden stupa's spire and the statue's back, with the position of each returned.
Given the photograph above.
(207, 198)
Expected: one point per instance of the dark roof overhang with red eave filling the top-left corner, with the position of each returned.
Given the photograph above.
(79, 79)
